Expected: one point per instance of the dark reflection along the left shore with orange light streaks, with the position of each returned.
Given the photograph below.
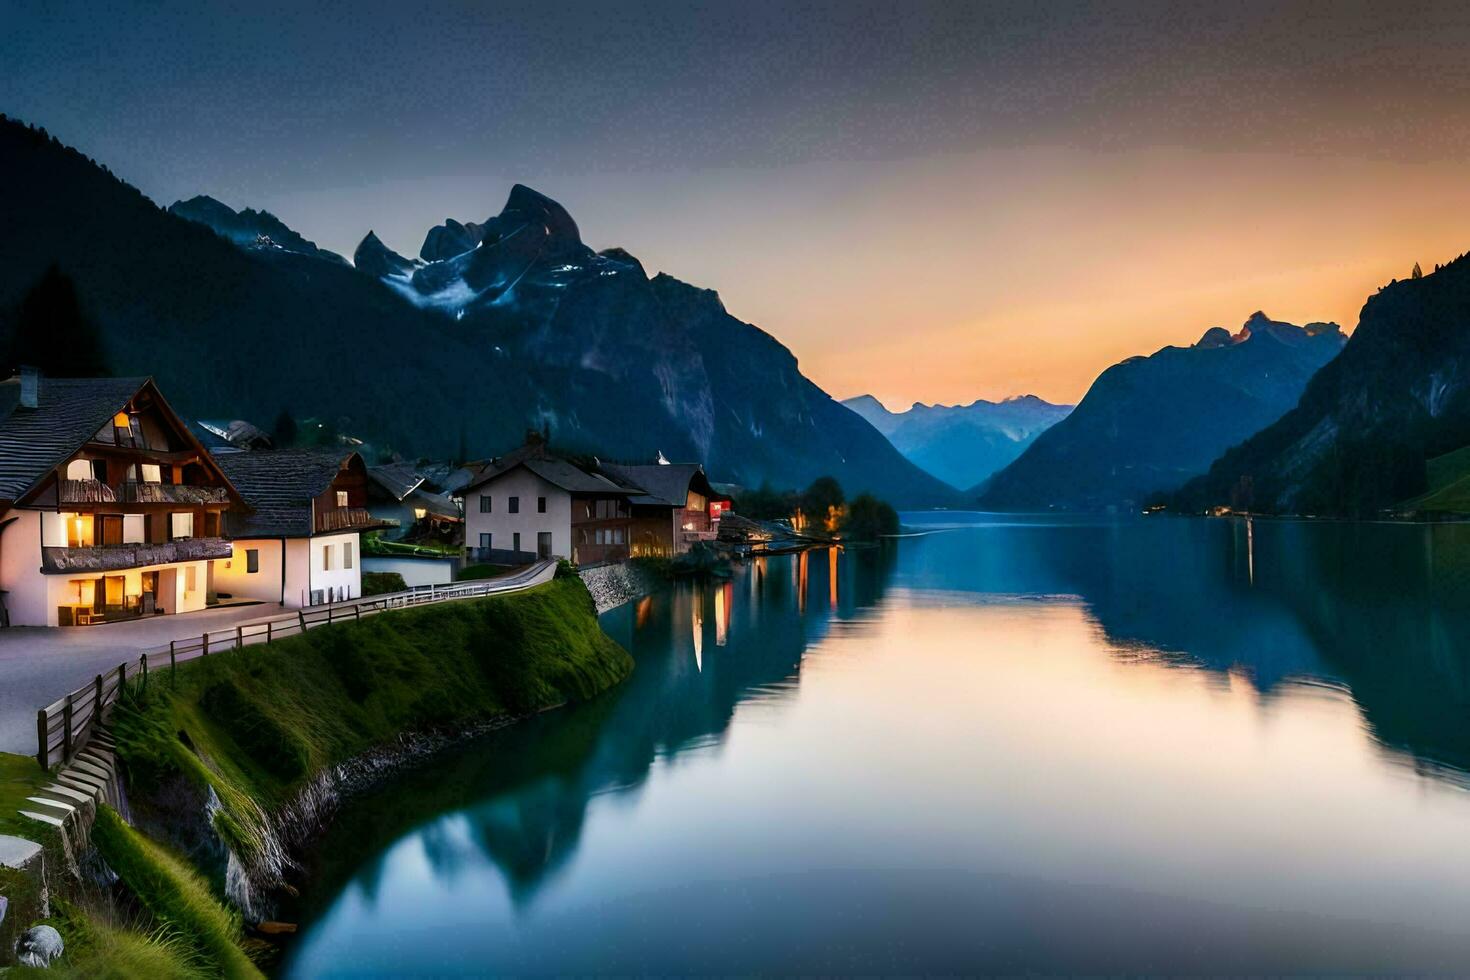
(536, 781)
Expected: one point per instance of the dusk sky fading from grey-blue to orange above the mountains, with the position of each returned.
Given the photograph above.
(928, 202)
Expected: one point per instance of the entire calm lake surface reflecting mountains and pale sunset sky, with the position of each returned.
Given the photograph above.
(1156, 746)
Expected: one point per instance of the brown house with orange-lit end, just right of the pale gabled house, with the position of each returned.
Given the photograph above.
(678, 506)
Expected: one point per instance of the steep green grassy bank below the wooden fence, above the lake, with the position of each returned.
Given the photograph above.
(257, 724)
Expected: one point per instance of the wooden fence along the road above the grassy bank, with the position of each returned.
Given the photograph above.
(64, 727)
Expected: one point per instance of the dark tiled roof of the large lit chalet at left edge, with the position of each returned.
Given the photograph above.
(68, 414)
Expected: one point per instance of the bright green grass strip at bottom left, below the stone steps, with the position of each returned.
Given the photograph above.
(179, 900)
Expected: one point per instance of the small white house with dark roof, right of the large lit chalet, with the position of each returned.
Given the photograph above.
(299, 543)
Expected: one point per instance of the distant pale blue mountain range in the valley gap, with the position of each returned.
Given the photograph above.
(962, 444)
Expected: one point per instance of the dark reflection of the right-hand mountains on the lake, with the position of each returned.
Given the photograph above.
(1381, 610)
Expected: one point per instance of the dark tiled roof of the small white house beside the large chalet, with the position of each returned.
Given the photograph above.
(280, 487)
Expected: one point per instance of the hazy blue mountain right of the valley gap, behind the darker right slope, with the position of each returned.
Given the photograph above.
(1150, 424)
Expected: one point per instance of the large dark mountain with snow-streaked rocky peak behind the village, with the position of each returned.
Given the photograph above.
(462, 353)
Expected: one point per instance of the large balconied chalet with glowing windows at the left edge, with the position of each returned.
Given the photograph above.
(110, 508)
